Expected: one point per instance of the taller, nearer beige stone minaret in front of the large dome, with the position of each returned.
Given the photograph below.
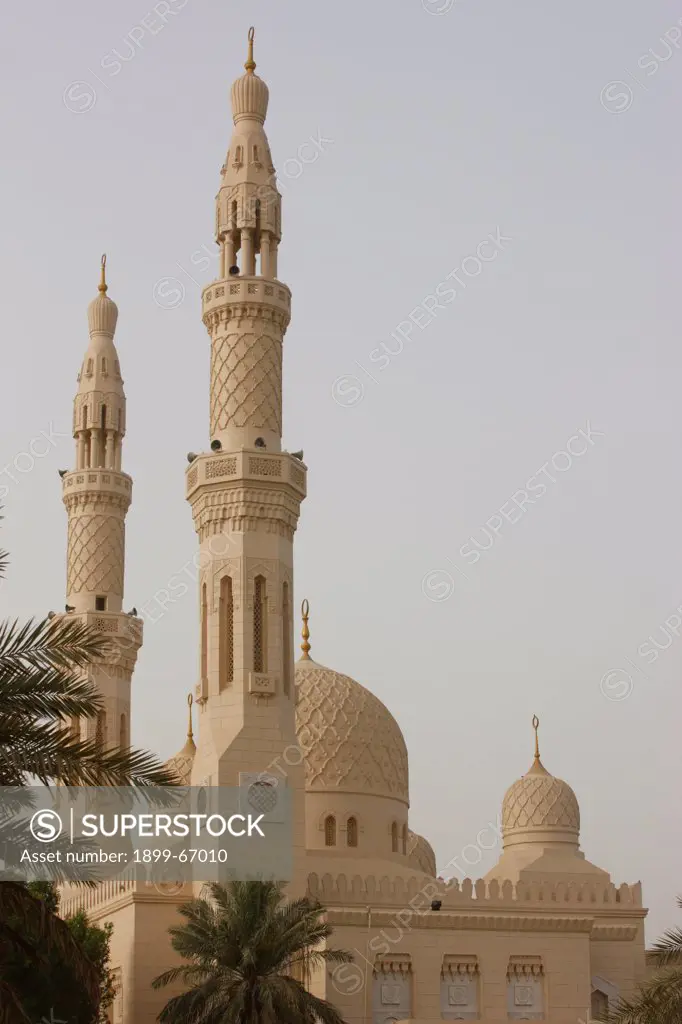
(246, 493)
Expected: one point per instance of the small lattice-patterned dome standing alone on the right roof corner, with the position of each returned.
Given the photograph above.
(540, 802)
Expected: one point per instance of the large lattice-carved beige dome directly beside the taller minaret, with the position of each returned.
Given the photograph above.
(351, 742)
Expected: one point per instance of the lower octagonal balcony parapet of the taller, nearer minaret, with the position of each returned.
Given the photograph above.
(249, 465)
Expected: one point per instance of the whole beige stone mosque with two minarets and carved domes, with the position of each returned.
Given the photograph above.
(546, 935)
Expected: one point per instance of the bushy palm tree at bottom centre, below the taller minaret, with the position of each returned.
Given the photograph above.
(247, 948)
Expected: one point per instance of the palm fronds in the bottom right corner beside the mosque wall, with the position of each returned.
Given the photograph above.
(660, 1000)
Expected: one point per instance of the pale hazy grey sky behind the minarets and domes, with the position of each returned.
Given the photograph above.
(428, 127)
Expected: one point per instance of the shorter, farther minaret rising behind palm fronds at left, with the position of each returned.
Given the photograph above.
(98, 495)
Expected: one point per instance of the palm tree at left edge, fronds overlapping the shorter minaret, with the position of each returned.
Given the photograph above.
(42, 687)
